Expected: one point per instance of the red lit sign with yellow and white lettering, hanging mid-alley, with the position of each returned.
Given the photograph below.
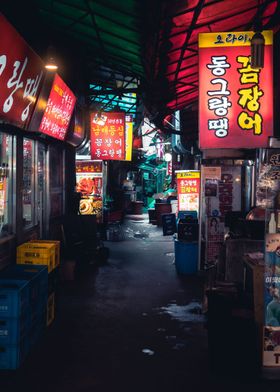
(107, 136)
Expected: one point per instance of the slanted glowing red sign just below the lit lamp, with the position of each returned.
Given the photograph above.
(58, 111)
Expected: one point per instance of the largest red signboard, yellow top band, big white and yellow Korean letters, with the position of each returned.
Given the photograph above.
(235, 100)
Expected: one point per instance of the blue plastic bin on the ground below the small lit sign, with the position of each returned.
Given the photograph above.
(186, 257)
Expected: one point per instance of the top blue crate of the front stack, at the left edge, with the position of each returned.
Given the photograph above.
(14, 297)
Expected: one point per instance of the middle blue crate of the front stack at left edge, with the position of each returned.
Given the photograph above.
(12, 330)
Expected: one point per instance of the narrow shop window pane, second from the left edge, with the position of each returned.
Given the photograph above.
(28, 183)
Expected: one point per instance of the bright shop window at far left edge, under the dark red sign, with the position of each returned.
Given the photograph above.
(6, 152)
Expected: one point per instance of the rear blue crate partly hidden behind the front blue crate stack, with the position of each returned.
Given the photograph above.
(37, 275)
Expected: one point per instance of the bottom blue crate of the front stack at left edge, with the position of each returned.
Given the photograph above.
(12, 356)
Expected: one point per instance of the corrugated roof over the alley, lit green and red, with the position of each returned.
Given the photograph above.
(155, 41)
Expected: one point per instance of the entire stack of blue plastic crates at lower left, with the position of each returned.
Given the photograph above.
(23, 301)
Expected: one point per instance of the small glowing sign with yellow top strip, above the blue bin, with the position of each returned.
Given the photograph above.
(188, 189)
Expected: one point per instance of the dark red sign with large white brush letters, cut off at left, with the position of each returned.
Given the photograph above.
(21, 72)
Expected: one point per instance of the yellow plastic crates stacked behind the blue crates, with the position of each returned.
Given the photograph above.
(43, 252)
